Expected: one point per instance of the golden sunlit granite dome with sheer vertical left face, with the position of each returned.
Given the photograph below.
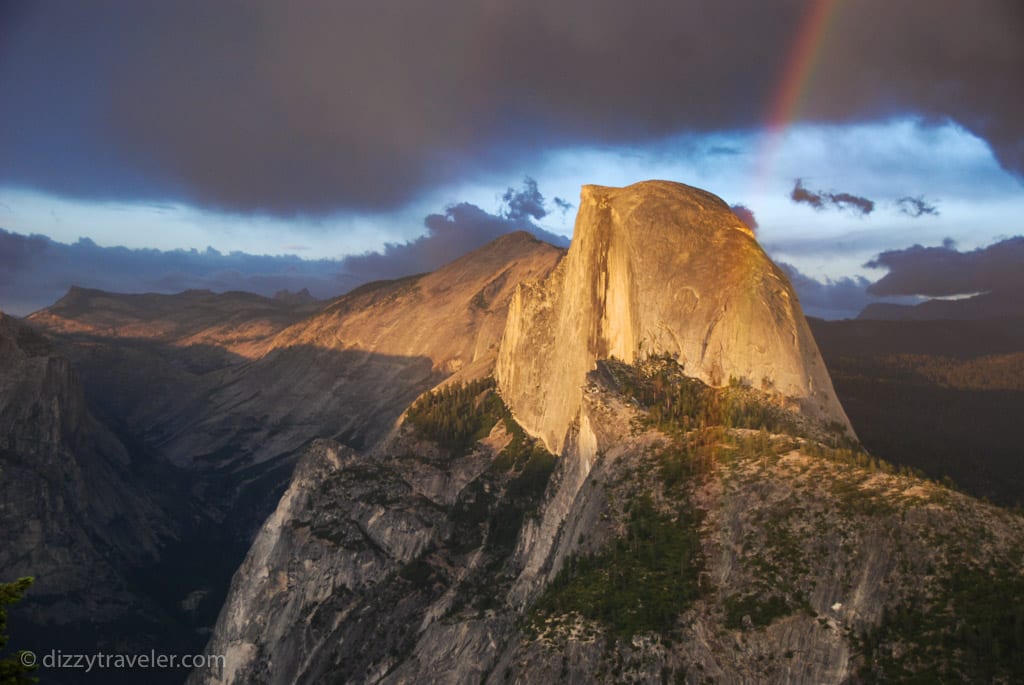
(659, 269)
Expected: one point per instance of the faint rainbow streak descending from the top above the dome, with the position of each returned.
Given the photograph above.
(797, 76)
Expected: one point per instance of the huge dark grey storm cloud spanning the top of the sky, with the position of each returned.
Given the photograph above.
(310, 108)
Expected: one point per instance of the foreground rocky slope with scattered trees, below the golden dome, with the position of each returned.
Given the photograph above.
(370, 573)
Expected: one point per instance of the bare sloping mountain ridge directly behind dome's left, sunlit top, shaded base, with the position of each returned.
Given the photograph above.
(350, 372)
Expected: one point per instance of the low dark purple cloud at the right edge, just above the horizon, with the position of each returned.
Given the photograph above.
(945, 271)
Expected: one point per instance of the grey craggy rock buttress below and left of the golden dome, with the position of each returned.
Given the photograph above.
(371, 561)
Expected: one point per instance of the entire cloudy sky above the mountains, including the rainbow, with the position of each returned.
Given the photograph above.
(878, 148)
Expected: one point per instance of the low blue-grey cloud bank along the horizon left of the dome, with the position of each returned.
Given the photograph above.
(35, 271)
